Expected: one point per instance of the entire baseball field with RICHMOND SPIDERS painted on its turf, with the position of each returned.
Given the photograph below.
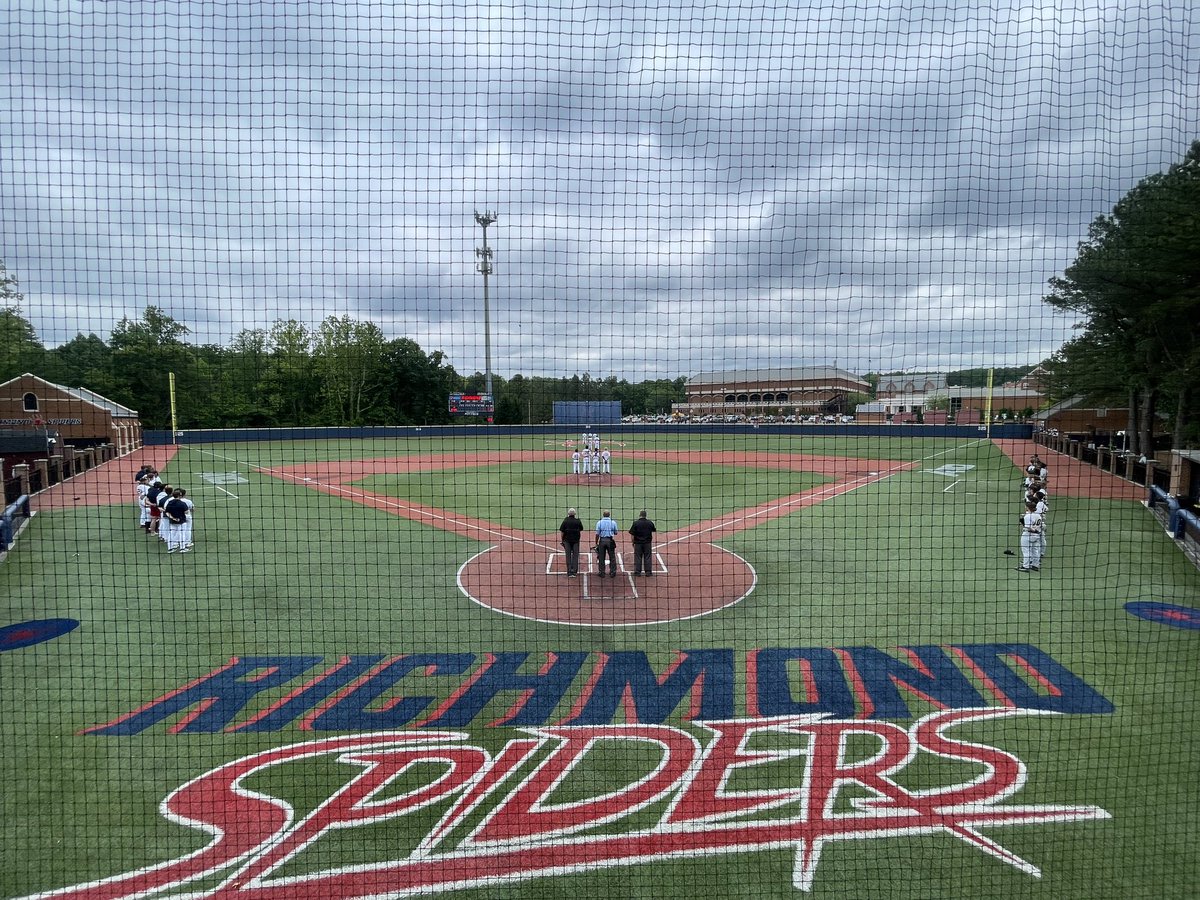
(371, 676)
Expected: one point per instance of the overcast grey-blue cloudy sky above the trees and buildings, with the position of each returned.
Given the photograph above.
(681, 187)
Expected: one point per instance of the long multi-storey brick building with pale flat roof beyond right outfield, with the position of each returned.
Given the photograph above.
(763, 392)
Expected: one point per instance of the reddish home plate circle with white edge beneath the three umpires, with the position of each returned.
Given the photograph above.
(529, 580)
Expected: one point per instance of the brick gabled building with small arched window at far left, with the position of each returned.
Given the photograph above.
(82, 418)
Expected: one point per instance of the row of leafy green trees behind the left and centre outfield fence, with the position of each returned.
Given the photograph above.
(341, 373)
